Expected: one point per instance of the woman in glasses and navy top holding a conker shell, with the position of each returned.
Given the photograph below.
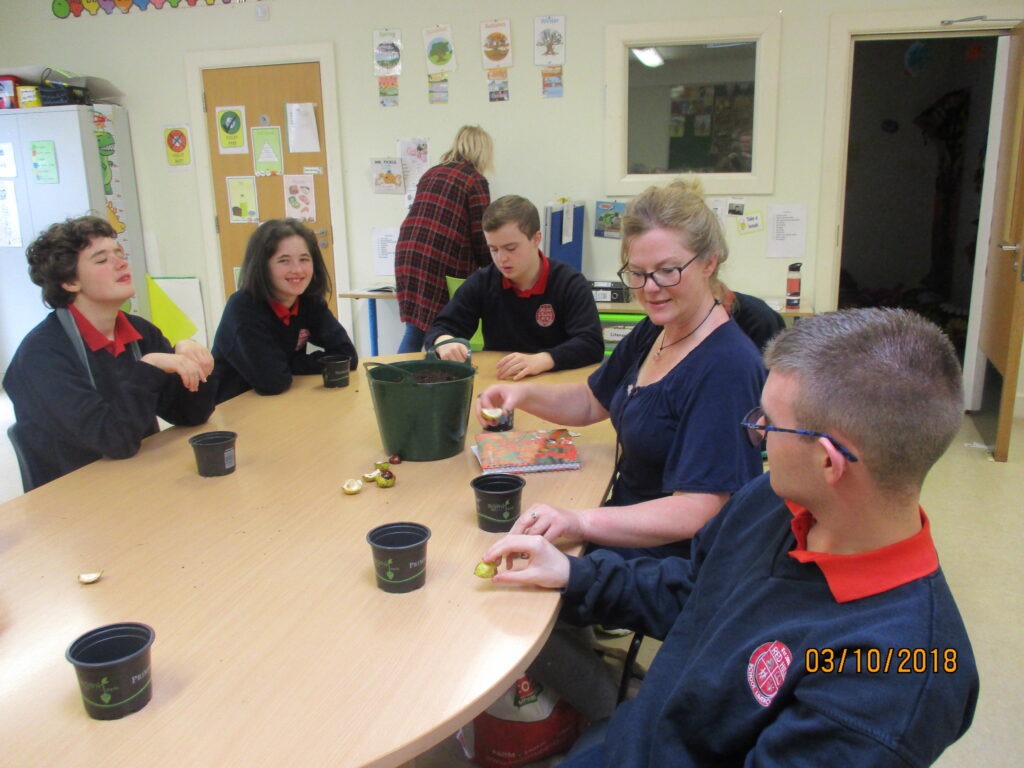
(675, 390)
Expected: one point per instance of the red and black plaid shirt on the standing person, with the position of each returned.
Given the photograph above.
(442, 236)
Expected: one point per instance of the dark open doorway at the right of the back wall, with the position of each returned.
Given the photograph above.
(919, 126)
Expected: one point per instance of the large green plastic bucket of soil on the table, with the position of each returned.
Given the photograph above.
(421, 421)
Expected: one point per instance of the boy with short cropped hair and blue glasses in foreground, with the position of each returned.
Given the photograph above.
(814, 625)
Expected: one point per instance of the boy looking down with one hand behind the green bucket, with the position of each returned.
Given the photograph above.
(541, 312)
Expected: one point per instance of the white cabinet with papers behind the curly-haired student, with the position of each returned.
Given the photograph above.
(57, 163)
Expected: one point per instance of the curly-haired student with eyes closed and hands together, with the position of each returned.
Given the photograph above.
(90, 381)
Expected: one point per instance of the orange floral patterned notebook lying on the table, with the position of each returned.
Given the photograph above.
(538, 451)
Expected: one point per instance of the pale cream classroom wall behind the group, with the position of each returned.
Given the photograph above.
(545, 148)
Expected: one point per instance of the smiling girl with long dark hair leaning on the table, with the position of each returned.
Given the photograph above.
(279, 309)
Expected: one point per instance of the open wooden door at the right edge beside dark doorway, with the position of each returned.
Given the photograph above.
(1003, 319)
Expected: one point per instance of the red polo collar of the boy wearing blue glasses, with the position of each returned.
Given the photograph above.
(857, 577)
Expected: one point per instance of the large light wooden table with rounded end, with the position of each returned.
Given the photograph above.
(274, 646)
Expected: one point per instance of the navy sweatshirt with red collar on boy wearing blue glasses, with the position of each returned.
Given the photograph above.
(777, 657)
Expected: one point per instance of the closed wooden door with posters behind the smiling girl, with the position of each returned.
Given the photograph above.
(265, 93)
